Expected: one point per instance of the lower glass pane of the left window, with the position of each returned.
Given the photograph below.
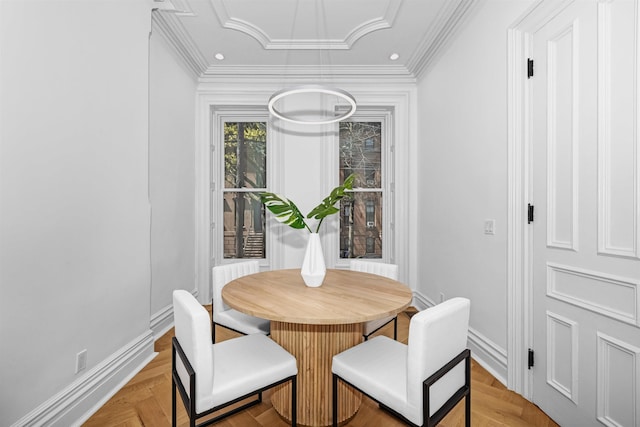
(244, 235)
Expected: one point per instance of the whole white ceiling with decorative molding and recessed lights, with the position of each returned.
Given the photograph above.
(350, 39)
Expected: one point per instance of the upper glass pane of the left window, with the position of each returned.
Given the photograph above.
(245, 160)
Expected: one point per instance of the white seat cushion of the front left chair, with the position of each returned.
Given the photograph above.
(248, 363)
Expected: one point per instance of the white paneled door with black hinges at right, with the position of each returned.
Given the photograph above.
(585, 231)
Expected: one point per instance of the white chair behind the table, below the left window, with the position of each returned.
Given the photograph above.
(226, 316)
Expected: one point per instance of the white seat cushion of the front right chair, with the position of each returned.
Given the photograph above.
(378, 366)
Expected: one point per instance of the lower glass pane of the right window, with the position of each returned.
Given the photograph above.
(361, 225)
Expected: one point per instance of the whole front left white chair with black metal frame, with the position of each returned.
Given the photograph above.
(210, 377)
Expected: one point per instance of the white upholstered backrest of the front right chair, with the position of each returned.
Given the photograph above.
(436, 335)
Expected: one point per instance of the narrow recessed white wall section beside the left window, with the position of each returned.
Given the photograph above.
(171, 178)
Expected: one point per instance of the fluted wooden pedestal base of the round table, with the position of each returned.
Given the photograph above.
(314, 347)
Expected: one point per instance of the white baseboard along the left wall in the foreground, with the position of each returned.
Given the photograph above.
(82, 398)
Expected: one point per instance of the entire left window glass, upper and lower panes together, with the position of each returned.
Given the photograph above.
(245, 177)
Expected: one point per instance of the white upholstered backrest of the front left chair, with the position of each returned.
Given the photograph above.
(193, 331)
